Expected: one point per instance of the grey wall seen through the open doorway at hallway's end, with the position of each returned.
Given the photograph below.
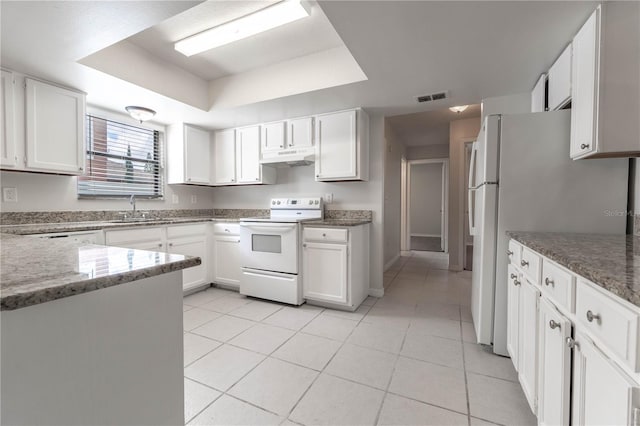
(426, 199)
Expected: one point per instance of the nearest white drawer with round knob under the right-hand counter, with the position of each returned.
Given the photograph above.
(615, 325)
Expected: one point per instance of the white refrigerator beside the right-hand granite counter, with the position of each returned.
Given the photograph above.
(522, 179)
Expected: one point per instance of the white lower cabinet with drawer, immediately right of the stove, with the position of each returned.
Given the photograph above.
(335, 266)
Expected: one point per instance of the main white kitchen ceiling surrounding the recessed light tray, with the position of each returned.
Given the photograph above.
(473, 49)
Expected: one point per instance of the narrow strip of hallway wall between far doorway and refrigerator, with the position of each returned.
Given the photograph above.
(461, 131)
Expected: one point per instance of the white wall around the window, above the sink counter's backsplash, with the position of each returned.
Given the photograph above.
(44, 192)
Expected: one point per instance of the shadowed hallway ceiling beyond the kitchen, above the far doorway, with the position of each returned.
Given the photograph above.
(428, 127)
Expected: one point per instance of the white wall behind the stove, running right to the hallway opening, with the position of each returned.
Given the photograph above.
(300, 181)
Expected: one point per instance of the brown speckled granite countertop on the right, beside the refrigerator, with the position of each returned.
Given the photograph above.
(610, 261)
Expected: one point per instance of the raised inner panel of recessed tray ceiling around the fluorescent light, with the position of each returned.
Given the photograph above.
(303, 37)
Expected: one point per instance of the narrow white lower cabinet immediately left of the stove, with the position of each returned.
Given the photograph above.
(226, 254)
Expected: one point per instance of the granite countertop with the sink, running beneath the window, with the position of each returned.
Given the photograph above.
(46, 228)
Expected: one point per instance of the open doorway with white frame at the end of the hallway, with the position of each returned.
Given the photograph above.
(426, 206)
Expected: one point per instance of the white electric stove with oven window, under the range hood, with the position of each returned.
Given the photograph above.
(270, 250)
